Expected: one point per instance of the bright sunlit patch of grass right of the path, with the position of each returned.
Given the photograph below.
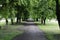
(50, 28)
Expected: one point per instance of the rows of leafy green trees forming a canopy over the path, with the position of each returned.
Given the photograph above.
(24, 9)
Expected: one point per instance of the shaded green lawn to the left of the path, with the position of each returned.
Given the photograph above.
(10, 32)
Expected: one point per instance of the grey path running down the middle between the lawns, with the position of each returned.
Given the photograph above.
(31, 32)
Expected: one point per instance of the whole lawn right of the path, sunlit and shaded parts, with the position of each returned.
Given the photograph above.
(51, 29)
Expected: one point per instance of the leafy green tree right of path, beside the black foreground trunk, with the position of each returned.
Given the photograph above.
(47, 10)
